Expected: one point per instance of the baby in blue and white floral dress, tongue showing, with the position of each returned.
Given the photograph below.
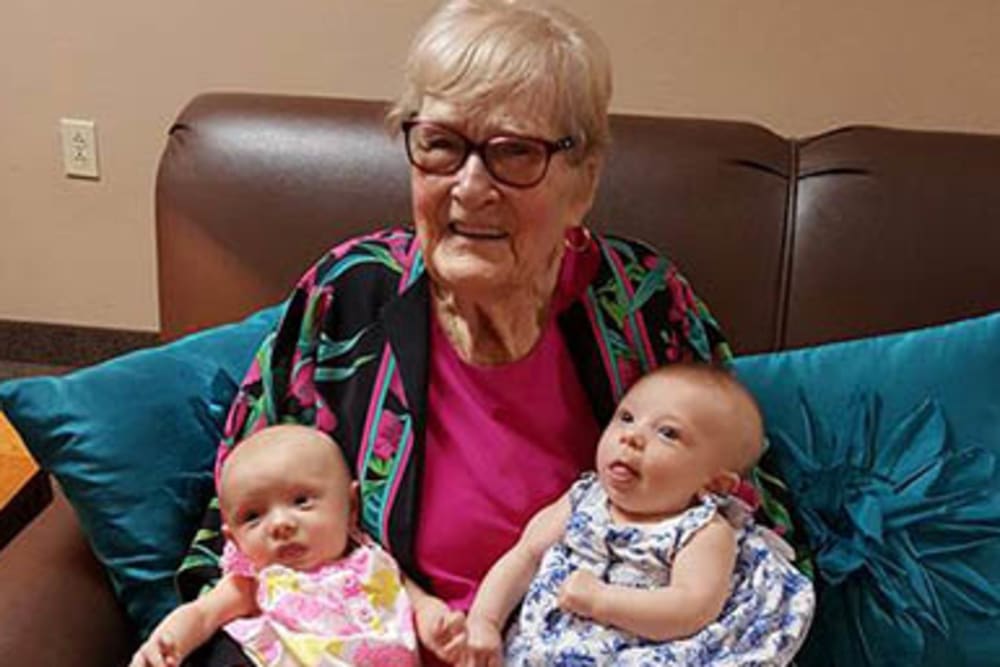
(649, 560)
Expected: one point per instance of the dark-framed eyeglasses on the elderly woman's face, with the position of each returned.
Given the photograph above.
(513, 160)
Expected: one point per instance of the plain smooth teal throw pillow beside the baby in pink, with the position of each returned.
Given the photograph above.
(132, 442)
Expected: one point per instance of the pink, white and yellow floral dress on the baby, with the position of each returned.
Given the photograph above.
(351, 612)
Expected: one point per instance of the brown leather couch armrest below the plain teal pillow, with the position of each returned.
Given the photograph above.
(58, 607)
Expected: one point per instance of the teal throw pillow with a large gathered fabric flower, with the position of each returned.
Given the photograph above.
(889, 448)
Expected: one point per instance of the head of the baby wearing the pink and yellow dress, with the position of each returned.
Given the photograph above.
(286, 497)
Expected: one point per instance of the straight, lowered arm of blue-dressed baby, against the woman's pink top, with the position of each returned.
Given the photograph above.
(508, 580)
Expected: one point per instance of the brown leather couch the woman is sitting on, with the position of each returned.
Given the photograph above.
(792, 242)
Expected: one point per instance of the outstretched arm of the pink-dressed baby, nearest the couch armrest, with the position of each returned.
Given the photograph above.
(190, 625)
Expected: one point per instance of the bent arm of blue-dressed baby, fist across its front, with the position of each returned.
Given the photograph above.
(699, 586)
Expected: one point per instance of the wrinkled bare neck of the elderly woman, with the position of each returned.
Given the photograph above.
(495, 329)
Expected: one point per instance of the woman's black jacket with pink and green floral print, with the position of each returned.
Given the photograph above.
(350, 357)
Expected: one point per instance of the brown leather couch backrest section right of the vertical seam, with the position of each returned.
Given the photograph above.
(893, 229)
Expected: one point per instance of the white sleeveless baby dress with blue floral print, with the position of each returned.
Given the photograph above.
(763, 622)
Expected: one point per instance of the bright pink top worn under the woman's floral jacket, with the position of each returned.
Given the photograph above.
(502, 442)
